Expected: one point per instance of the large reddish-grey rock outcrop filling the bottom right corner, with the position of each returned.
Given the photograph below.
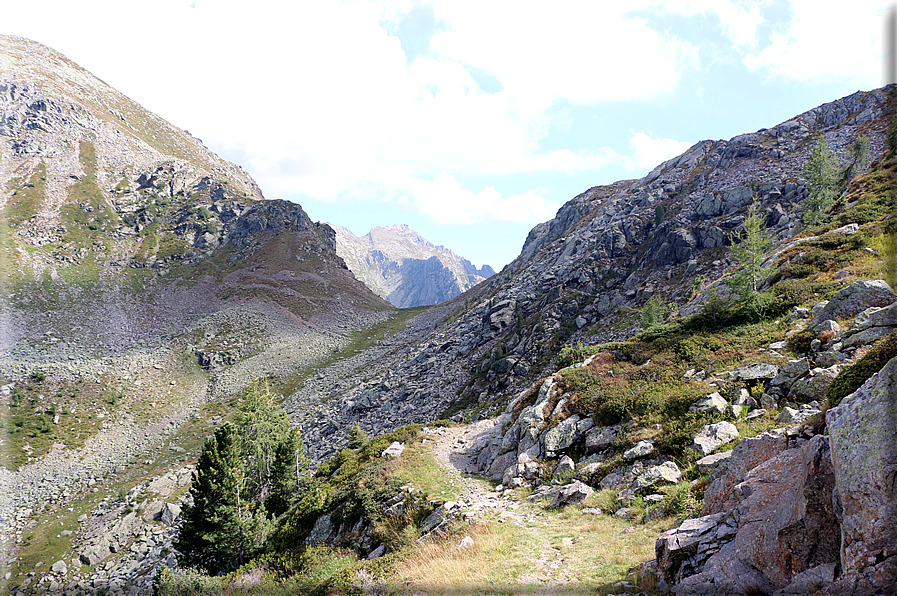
(790, 508)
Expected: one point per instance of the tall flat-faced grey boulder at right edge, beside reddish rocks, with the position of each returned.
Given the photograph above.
(864, 455)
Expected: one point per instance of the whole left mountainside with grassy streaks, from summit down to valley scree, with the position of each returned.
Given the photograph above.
(145, 283)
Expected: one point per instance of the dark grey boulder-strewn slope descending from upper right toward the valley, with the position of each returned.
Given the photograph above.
(583, 275)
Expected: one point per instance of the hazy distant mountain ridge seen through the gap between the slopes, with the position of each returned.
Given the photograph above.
(405, 268)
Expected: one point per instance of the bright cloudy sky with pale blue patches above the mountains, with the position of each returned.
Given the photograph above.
(470, 121)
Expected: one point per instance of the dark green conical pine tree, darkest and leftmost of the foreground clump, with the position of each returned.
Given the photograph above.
(221, 530)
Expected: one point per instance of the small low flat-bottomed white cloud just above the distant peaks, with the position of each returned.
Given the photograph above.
(444, 201)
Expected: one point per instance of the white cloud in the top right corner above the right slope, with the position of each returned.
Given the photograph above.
(821, 43)
